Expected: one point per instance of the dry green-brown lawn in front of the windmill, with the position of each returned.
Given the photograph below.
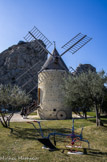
(22, 144)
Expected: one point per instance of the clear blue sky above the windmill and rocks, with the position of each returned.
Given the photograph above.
(59, 21)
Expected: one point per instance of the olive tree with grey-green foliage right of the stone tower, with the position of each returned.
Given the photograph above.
(85, 90)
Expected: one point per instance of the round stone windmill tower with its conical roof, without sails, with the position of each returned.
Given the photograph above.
(51, 98)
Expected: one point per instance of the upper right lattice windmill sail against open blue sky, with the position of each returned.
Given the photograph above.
(76, 43)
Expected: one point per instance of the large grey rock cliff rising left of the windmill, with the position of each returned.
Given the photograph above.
(16, 65)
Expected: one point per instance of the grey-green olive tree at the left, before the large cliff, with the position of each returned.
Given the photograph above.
(14, 97)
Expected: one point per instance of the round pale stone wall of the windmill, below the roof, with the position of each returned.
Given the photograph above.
(52, 100)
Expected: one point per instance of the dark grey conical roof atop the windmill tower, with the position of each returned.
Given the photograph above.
(54, 62)
